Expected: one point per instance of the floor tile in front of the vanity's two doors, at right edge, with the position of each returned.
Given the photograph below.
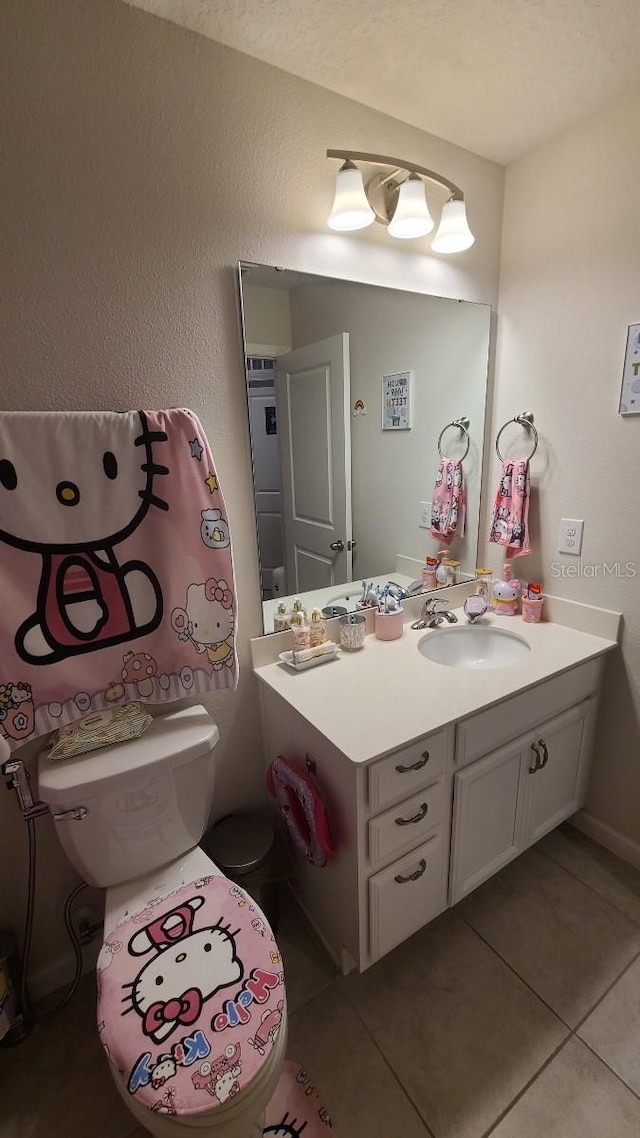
(563, 939)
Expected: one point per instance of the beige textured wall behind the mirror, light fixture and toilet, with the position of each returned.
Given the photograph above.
(141, 163)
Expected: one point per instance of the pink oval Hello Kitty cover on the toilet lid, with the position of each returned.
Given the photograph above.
(191, 997)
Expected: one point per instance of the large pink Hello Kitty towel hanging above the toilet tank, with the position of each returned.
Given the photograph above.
(117, 575)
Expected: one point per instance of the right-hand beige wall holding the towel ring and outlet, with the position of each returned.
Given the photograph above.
(569, 290)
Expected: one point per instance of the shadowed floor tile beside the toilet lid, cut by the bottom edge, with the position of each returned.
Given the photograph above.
(363, 1096)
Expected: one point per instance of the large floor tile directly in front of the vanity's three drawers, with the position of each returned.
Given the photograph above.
(462, 1033)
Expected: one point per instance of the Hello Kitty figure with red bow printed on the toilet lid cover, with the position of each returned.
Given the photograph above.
(188, 967)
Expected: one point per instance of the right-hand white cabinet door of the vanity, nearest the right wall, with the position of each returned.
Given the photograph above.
(557, 788)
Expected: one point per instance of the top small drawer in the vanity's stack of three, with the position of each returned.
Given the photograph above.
(407, 771)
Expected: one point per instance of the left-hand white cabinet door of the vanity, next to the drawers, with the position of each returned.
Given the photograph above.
(489, 817)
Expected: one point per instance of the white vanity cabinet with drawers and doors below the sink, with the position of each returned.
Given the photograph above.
(417, 829)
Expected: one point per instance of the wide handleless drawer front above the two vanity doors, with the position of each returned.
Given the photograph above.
(493, 729)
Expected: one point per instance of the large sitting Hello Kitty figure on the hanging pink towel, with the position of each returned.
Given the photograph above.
(73, 508)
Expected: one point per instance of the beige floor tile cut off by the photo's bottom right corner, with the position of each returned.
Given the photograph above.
(577, 1096)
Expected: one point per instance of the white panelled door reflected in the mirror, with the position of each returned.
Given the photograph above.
(314, 409)
